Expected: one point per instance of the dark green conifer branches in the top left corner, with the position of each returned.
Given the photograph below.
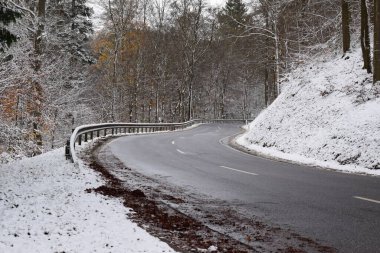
(8, 16)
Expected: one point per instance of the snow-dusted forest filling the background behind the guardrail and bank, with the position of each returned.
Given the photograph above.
(161, 60)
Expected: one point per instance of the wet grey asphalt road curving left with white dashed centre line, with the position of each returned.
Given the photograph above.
(342, 210)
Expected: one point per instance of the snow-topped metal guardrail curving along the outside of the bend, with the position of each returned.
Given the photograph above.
(89, 132)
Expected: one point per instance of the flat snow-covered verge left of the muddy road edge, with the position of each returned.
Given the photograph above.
(44, 208)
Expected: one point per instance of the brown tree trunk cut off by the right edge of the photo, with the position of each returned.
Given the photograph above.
(376, 42)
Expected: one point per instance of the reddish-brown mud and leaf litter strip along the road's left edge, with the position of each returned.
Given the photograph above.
(188, 221)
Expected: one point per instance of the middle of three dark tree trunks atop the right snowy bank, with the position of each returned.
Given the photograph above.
(364, 36)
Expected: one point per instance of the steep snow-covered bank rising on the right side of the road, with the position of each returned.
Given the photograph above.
(328, 115)
